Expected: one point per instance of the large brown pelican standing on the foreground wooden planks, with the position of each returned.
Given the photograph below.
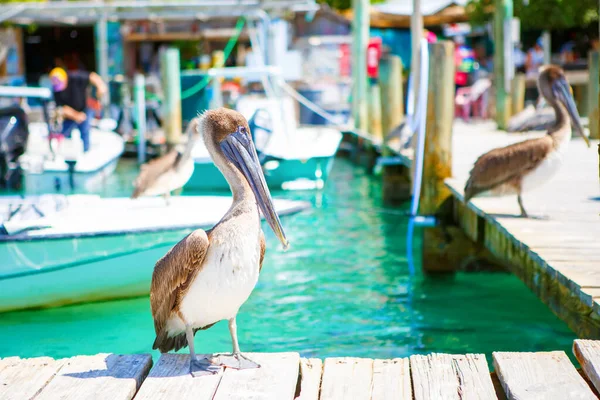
(207, 276)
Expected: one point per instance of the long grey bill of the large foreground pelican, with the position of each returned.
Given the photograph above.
(239, 149)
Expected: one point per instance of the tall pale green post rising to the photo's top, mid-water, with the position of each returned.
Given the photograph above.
(360, 40)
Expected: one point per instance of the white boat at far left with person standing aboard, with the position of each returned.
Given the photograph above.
(58, 164)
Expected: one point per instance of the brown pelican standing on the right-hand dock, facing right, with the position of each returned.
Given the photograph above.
(523, 166)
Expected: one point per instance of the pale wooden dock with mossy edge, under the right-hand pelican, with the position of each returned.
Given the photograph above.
(556, 253)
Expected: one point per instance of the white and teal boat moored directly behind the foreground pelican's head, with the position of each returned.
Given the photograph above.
(292, 156)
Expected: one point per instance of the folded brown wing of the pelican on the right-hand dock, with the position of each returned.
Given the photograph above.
(504, 164)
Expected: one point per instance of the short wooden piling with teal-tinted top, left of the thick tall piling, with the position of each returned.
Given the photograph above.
(392, 96)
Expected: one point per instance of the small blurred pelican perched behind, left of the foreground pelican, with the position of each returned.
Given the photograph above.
(170, 172)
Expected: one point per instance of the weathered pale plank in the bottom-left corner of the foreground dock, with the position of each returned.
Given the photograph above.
(24, 378)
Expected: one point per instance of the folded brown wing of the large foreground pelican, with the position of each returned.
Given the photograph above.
(172, 275)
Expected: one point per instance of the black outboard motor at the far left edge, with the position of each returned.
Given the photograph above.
(13, 143)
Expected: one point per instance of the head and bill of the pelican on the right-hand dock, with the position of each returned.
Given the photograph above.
(553, 85)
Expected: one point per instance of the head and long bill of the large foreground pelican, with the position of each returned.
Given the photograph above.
(228, 140)
